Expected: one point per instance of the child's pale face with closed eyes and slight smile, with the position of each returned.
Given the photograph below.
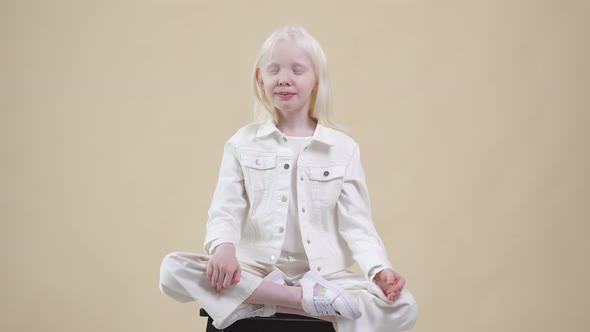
(288, 78)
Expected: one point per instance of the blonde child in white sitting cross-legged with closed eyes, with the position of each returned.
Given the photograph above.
(291, 212)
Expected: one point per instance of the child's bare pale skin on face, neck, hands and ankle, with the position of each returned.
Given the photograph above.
(288, 81)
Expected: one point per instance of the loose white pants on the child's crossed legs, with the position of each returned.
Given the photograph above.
(183, 278)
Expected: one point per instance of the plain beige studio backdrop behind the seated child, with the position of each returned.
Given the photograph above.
(473, 118)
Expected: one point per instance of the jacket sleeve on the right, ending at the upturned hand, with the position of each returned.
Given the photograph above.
(355, 222)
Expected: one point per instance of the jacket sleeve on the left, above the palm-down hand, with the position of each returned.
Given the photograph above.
(229, 206)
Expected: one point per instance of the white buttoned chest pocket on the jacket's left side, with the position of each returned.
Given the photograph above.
(260, 170)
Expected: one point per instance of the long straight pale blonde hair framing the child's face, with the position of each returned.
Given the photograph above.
(321, 99)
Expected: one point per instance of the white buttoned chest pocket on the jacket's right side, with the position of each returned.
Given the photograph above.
(326, 183)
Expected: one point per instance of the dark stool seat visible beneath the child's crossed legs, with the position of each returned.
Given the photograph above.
(278, 322)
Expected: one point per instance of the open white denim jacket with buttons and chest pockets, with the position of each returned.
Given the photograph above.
(250, 203)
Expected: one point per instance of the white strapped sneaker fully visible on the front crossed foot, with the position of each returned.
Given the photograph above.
(323, 298)
